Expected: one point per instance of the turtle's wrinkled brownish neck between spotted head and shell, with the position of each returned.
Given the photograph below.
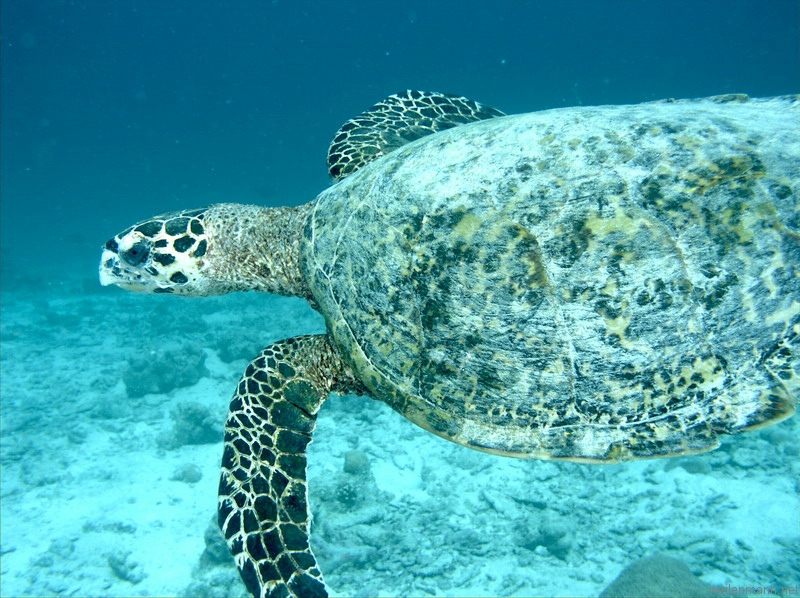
(252, 248)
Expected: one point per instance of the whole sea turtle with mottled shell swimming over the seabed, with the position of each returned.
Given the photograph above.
(593, 284)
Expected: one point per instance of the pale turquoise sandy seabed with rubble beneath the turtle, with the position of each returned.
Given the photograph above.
(112, 410)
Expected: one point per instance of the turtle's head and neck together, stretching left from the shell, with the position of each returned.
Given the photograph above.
(209, 251)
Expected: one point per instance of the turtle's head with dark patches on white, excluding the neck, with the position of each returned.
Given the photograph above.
(164, 254)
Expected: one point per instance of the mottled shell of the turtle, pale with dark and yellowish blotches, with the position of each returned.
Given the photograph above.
(584, 283)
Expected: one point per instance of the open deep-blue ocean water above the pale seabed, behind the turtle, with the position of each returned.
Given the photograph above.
(117, 109)
